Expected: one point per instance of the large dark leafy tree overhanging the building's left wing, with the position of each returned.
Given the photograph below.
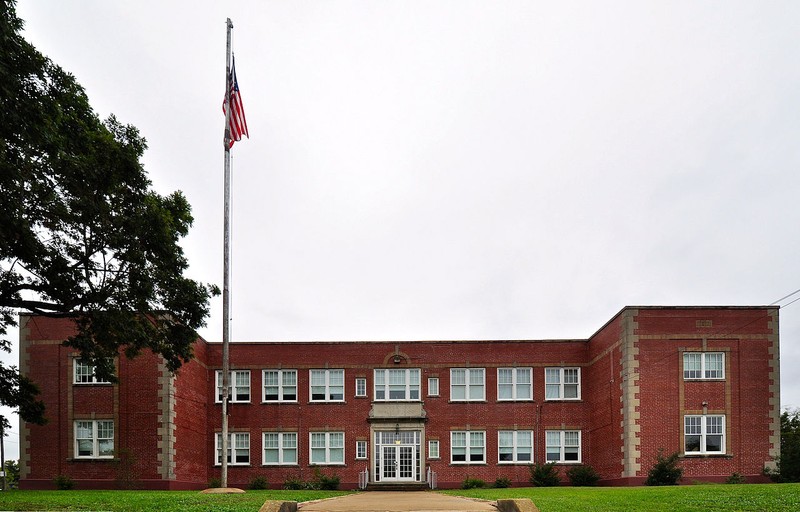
(82, 234)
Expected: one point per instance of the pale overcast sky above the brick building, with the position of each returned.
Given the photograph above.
(463, 169)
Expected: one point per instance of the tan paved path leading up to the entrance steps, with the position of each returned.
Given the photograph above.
(378, 501)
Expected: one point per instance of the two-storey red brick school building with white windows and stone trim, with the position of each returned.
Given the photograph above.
(700, 381)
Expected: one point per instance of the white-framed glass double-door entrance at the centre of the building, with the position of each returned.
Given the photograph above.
(397, 456)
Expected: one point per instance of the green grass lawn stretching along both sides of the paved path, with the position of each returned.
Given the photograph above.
(706, 498)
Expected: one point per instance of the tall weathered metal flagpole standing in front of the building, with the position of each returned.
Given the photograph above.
(226, 329)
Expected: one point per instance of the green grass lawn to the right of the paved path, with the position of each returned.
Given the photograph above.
(706, 498)
